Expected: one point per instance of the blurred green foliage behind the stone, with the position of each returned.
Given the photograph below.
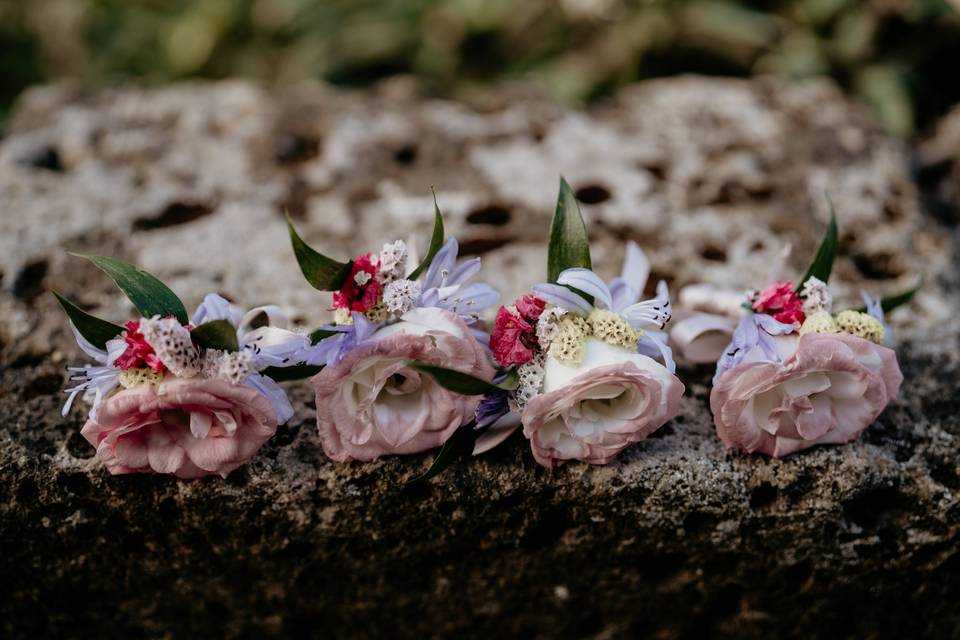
(901, 56)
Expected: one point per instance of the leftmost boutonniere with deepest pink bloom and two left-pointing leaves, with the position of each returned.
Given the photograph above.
(174, 394)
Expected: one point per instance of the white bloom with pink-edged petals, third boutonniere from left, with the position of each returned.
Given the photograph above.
(593, 411)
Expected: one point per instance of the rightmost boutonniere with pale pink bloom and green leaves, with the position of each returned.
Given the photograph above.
(798, 372)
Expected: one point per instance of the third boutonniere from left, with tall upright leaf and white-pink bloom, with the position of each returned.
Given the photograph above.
(584, 366)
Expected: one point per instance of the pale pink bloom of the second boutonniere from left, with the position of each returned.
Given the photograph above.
(372, 403)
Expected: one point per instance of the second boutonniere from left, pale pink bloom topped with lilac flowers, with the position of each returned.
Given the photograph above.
(393, 314)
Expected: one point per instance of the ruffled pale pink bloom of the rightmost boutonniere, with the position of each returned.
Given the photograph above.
(828, 389)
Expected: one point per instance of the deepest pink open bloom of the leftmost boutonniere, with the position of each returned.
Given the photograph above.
(188, 428)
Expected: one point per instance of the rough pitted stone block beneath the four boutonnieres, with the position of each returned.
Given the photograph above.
(677, 538)
